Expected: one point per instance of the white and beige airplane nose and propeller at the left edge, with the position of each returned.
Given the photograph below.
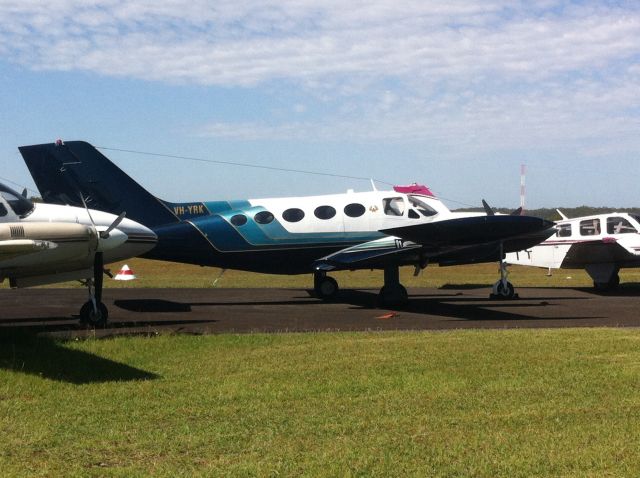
(46, 243)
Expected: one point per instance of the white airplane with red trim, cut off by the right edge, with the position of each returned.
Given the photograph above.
(601, 244)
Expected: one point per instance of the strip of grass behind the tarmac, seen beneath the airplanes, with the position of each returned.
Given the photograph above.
(167, 274)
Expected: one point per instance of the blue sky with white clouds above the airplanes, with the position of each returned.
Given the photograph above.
(455, 95)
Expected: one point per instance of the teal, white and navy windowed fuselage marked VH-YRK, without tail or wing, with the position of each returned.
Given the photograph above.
(286, 235)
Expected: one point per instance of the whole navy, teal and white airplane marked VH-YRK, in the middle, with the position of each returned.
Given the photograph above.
(291, 235)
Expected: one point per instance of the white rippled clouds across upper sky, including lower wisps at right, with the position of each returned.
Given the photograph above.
(473, 73)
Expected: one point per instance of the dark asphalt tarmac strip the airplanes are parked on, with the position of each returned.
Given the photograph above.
(203, 311)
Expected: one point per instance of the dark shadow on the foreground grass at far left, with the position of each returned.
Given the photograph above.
(46, 357)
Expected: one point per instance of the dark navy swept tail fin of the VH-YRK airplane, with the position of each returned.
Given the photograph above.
(63, 172)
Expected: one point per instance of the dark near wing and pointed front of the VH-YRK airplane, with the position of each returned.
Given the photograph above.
(448, 242)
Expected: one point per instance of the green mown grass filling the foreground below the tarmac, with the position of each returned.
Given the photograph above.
(463, 403)
